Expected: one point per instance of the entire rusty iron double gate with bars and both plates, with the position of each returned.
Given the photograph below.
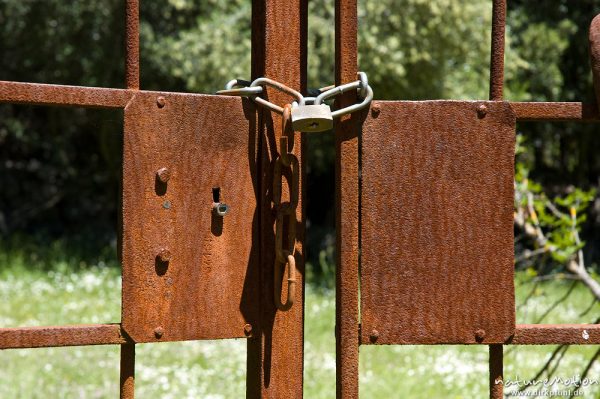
(434, 273)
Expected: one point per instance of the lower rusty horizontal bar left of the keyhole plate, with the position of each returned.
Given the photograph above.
(76, 335)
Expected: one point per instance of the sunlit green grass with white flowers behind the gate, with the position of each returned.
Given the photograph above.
(217, 369)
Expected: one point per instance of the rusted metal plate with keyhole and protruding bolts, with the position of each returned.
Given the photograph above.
(188, 273)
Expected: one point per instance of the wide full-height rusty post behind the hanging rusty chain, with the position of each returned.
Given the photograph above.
(276, 351)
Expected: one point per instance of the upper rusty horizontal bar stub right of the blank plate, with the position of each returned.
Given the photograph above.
(555, 111)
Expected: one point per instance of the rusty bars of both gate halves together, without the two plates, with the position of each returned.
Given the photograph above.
(279, 32)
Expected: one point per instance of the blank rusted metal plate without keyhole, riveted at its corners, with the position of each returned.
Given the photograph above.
(437, 223)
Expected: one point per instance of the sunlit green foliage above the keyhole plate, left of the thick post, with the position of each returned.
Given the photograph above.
(198, 46)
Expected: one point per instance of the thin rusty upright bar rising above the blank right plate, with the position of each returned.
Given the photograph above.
(497, 57)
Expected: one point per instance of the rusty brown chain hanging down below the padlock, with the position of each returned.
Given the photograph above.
(284, 255)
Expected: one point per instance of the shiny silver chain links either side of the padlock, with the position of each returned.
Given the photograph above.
(253, 90)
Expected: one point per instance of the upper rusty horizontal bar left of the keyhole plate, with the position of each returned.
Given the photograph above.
(76, 96)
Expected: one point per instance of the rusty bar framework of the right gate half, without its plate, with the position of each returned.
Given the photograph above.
(348, 203)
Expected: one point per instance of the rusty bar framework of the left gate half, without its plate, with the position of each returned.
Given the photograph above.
(279, 32)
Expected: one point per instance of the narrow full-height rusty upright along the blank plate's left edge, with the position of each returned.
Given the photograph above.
(347, 206)
